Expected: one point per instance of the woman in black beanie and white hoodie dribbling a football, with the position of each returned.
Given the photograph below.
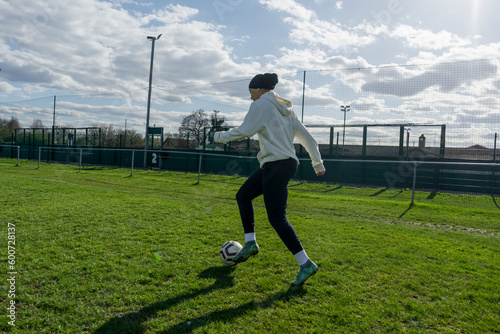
(276, 124)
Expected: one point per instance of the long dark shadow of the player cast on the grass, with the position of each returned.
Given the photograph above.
(133, 322)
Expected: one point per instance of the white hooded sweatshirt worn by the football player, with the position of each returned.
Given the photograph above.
(277, 125)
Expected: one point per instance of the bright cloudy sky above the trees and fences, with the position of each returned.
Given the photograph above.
(93, 55)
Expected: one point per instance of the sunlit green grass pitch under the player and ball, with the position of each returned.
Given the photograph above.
(85, 263)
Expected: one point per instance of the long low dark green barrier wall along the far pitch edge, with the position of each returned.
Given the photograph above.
(416, 173)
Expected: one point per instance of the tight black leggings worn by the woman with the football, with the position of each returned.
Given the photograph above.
(271, 181)
